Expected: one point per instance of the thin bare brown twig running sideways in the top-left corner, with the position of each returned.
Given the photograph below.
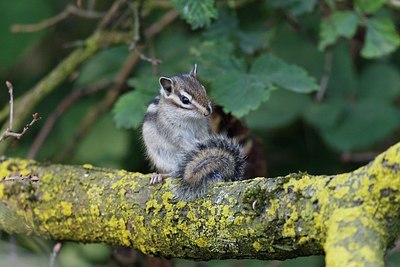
(68, 11)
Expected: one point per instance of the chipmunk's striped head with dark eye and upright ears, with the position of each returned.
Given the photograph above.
(187, 94)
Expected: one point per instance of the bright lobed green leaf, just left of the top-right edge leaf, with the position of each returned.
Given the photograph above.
(339, 24)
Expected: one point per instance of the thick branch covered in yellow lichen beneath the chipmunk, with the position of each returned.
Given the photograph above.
(352, 217)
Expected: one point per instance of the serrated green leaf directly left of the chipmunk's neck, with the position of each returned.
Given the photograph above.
(130, 108)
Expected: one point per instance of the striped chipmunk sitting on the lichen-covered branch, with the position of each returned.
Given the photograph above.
(179, 142)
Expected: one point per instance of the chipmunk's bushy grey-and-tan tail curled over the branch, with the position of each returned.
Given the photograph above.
(215, 160)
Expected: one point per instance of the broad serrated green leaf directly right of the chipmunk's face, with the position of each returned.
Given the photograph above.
(240, 92)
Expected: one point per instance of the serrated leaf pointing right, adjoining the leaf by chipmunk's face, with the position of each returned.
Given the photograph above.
(290, 77)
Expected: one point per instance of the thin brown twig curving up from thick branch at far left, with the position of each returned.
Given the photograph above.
(65, 104)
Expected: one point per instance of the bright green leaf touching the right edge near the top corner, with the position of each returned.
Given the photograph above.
(381, 39)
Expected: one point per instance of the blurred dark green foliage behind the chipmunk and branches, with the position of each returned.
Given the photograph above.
(317, 81)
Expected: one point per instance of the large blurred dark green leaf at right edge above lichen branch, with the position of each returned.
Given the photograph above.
(367, 122)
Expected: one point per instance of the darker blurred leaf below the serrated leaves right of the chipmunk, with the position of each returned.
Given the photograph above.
(282, 108)
